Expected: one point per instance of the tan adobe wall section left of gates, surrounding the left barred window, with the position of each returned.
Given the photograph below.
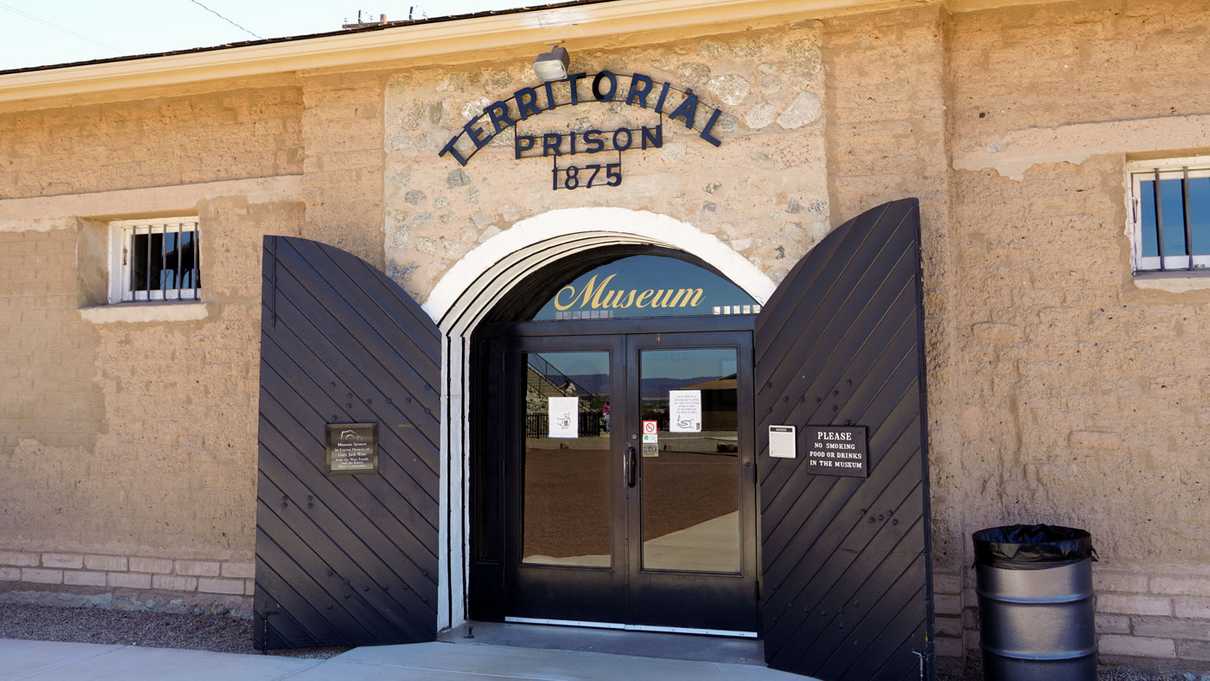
(128, 449)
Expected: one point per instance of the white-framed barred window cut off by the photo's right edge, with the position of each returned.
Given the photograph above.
(1171, 215)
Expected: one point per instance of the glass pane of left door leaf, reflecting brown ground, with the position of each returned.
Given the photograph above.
(567, 460)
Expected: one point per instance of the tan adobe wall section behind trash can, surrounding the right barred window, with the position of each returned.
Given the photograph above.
(1084, 397)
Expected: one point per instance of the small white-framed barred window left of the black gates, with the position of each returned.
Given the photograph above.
(155, 261)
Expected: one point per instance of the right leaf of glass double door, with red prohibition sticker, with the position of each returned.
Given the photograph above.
(689, 412)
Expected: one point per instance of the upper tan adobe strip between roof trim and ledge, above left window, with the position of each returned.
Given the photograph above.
(160, 141)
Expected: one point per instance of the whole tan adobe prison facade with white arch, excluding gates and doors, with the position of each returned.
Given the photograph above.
(1064, 384)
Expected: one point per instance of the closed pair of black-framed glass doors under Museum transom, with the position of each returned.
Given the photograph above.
(633, 481)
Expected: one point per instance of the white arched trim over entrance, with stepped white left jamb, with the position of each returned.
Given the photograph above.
(469, 292)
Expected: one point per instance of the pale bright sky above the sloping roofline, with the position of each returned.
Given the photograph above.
(38, 32)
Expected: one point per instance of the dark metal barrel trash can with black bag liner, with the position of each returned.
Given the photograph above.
(1035, 586)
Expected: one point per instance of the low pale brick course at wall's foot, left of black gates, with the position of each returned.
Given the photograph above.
(187, 585)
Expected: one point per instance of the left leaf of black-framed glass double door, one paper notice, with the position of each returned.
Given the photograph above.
(567, 501)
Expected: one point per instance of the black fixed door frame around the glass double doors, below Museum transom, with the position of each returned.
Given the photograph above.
(487, 597)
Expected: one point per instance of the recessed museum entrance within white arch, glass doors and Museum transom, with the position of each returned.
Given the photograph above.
(613, 460)
